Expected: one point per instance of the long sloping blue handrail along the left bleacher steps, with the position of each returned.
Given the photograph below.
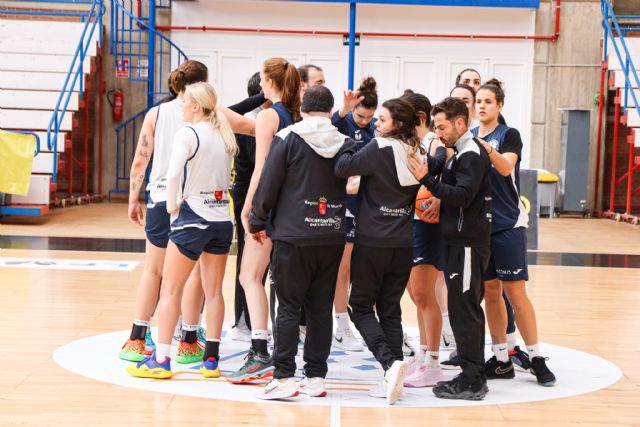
(74, 76)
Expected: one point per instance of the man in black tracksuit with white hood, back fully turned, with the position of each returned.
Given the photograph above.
(306, 201)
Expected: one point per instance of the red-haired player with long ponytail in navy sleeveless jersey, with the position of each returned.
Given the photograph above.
(280, 83)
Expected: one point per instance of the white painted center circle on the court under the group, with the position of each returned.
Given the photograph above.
(350, 375)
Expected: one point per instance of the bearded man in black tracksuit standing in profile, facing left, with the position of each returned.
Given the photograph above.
(465, 219)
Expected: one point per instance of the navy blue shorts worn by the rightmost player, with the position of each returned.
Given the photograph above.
(508, 260)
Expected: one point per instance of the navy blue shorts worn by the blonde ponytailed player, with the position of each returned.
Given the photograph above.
(193, 235)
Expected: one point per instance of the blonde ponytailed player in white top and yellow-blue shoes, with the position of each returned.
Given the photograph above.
(201, 226)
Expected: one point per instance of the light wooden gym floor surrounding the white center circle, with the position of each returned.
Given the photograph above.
(592, 309)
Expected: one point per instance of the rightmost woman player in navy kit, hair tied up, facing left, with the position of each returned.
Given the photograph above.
(508, 263)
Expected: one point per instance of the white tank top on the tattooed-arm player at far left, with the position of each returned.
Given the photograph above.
(168, 123)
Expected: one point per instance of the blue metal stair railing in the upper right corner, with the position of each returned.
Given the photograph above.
(609, 24)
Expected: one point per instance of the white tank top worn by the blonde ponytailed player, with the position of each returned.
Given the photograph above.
(206, 171)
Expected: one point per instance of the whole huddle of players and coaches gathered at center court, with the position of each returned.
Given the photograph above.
(339, 209)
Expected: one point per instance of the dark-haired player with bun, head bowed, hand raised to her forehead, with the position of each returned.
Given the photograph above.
(355, 119)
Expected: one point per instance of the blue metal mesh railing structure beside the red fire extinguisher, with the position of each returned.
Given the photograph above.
(151, 56)
